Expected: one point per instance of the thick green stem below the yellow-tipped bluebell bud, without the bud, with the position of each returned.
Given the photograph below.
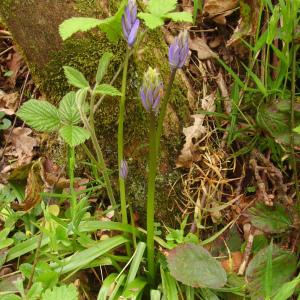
(150, 199)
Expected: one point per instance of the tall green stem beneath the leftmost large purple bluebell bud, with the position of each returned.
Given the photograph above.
(121, 139)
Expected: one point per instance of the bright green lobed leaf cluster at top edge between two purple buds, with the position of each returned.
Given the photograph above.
(159, 10)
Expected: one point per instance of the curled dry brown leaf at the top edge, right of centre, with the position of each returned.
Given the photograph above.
(218, 10)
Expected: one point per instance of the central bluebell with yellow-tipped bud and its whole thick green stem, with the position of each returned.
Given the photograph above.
(151, 93)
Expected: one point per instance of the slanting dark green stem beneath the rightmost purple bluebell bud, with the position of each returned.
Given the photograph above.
(163, 109)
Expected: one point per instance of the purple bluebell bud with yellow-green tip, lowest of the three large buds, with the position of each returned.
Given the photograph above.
(151, 90)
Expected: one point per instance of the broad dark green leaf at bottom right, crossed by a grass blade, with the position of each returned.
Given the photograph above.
(256, 271)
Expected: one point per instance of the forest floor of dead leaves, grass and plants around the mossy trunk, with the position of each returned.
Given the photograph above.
(239, 156)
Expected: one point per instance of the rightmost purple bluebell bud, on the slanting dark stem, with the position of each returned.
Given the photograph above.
(179, 50)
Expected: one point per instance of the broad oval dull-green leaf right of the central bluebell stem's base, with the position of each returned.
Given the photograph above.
(192, 265)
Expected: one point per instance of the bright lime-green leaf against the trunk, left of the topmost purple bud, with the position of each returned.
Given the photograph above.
(73, 25)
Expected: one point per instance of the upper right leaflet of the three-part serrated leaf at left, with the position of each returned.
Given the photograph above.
(68, 111)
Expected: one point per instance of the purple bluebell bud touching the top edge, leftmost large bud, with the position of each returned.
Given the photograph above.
(130, 23)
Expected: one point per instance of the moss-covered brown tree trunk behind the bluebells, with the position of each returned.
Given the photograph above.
(34, 27)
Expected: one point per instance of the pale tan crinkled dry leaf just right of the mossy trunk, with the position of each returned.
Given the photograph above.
(193, 133)
